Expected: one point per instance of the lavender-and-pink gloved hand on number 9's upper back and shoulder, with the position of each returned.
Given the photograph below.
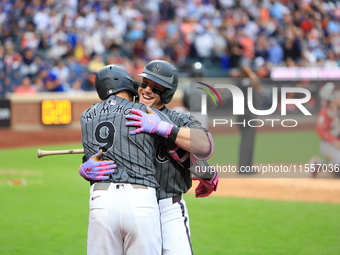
(149, 123)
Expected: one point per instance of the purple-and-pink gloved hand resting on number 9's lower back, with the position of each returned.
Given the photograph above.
(95, 170)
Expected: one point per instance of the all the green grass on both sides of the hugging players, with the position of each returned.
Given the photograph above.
(51, 217)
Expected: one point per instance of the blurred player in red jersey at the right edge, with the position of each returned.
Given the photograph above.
(328, 128)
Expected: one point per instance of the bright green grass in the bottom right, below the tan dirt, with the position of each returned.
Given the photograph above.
(222, 226)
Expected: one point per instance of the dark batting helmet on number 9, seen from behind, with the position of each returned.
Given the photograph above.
(112, 79)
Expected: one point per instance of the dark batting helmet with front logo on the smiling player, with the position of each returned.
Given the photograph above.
(164, 74)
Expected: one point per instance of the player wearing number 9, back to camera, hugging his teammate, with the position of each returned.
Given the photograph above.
(124, 214)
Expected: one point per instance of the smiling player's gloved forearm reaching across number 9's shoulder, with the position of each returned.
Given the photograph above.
(194, 140)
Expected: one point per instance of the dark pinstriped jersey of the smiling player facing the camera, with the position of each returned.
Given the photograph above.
(172, 178)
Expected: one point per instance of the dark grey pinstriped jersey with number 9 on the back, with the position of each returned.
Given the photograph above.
(103, 126)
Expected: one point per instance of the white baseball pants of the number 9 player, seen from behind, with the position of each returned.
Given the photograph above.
(124, 220)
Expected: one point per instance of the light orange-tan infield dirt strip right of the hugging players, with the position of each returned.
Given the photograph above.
(297, 189)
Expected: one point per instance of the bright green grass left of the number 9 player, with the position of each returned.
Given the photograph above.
(46, 218)
